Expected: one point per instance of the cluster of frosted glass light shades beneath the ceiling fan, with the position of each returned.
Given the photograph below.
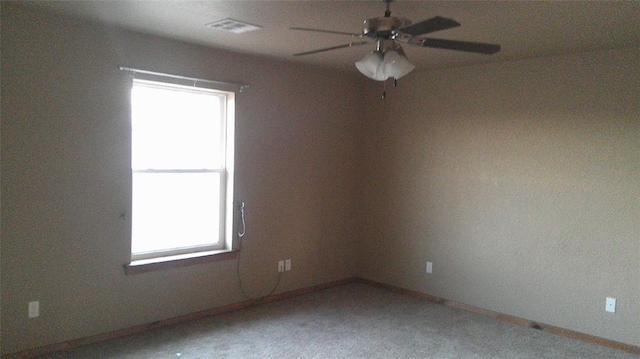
(381, 66)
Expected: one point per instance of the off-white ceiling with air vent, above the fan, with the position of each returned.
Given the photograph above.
(525, 29)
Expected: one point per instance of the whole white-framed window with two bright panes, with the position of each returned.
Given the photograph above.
(181, 161)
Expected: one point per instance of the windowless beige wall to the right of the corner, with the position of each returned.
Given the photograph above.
(520, 181)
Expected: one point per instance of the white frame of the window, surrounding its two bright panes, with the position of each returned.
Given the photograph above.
(226, 172)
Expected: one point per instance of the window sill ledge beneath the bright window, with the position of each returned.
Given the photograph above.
(155, 264)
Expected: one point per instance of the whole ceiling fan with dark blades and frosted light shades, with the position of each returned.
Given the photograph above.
(389, 60)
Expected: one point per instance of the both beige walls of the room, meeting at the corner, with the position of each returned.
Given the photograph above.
(519, 181)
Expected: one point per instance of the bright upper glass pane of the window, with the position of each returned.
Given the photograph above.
(175, 128)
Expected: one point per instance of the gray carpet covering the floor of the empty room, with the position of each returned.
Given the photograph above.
(351, 321)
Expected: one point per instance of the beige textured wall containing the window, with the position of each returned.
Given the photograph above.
(66, 178)
